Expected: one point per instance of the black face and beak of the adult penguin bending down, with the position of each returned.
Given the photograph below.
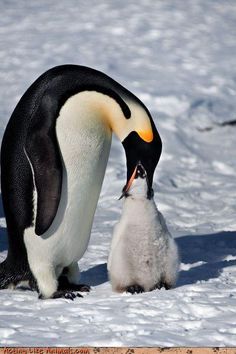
(139, 152)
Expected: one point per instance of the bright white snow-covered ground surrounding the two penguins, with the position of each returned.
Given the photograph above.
(179, 58)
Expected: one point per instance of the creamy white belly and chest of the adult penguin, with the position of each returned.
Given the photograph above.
(84, 140)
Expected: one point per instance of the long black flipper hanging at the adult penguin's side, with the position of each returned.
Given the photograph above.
(44, 157)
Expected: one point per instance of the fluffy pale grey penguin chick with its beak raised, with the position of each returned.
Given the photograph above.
(143, 254)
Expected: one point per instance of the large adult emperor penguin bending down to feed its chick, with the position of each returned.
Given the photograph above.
(53, 159)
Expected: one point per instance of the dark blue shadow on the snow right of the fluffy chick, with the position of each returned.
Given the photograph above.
(204, 256)
